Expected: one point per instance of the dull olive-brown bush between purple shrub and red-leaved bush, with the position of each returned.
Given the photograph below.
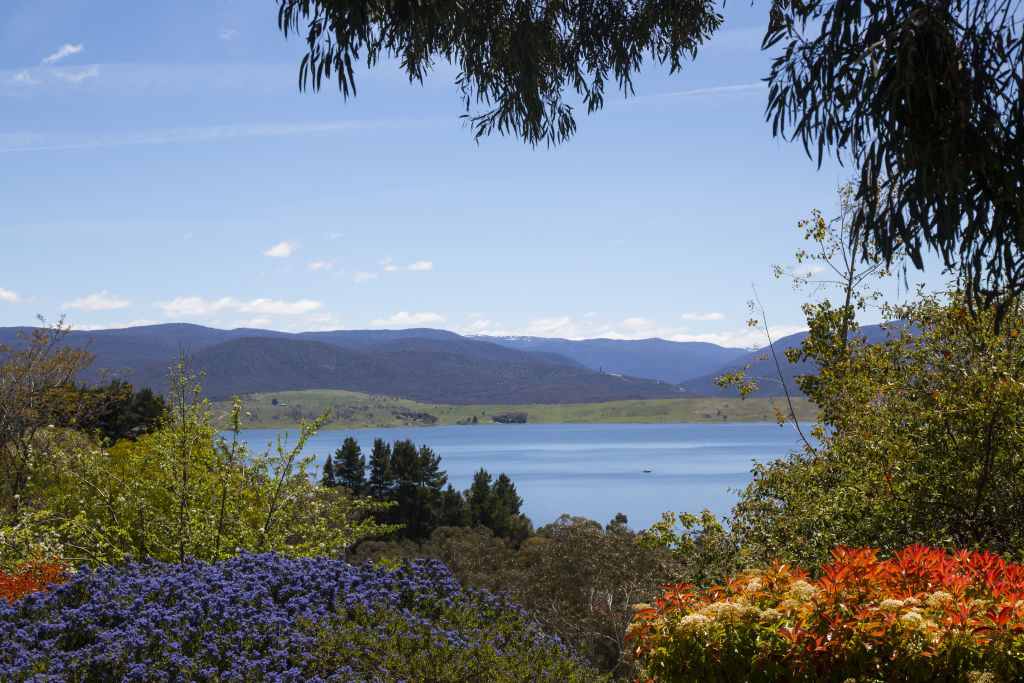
(578, 579)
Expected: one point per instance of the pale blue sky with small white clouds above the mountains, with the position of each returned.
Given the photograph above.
(160, 164)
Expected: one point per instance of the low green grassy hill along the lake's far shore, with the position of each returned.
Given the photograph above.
(360, 411)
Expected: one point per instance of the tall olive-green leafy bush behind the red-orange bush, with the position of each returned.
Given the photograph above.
(920, 439)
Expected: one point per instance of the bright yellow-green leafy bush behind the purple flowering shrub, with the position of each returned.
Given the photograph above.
(183, 491)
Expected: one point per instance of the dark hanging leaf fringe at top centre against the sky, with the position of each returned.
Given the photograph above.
(516, 58)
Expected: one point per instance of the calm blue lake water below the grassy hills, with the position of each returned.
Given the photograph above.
(591, 471)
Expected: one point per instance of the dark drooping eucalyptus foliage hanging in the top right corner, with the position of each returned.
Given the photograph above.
(925, 98)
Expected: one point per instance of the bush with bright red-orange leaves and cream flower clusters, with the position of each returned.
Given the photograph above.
(927, 615)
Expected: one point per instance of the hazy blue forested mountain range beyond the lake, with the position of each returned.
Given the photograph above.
(426, 365)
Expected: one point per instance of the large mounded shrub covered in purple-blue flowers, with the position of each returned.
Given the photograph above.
(270, 618)
